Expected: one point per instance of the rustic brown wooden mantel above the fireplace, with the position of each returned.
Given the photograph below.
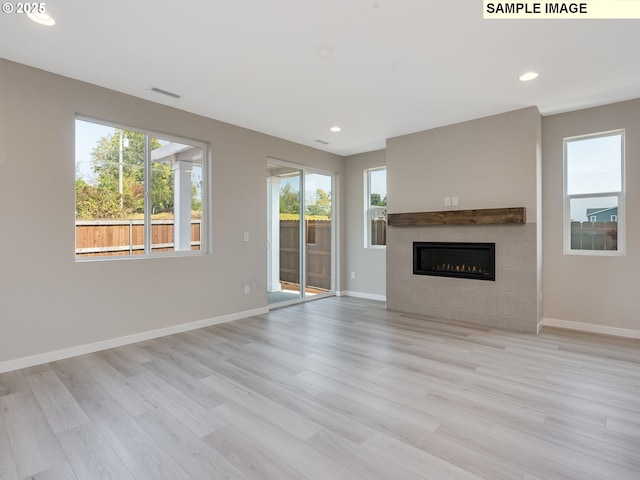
(487, 216)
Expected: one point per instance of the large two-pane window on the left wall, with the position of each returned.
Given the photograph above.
(137, 193)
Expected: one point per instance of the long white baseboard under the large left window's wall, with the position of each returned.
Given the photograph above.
(40, 359)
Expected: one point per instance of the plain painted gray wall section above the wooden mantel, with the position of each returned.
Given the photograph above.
(487, 163)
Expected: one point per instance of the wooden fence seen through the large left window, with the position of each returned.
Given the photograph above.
(95, 238)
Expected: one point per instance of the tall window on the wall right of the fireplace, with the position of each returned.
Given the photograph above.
(594, 194)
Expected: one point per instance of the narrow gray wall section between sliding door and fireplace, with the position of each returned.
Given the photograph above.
(368, 264)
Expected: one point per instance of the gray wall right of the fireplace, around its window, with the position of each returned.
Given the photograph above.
(589, 289)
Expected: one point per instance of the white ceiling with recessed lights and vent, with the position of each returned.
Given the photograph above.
(399, 66)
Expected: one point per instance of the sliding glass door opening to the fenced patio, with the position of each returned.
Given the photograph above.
(300, 234)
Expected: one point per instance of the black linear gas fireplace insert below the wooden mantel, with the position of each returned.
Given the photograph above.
(450, 259)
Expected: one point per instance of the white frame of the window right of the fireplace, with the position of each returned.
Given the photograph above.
(621, 217)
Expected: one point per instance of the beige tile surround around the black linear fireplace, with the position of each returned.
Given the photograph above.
(509, 302)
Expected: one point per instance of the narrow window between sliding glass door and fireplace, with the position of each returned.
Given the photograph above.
(376, 207)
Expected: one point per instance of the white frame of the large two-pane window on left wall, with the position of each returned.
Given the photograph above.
(205, 227)
